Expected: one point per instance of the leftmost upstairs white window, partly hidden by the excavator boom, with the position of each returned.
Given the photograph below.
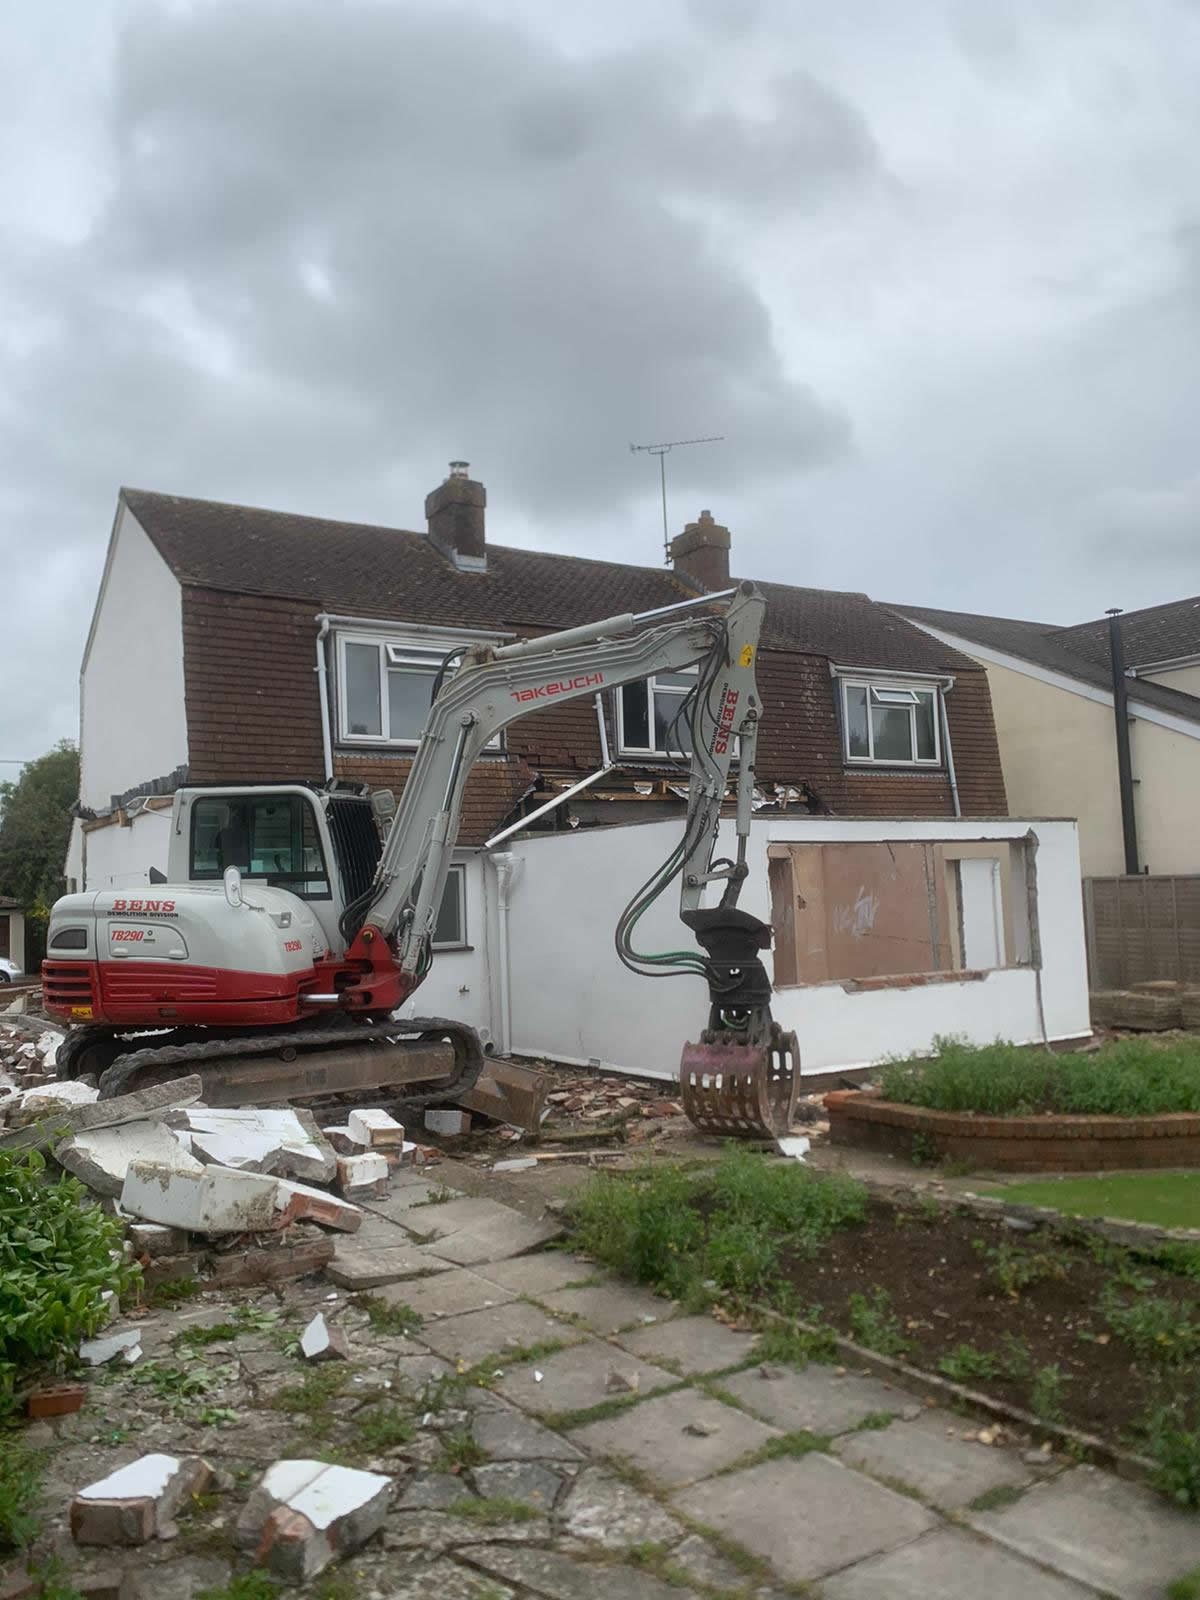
(386, 686)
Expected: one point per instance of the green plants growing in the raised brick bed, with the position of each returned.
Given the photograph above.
(1129, 1078)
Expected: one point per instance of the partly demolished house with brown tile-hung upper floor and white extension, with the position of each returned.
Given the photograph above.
(244, 646)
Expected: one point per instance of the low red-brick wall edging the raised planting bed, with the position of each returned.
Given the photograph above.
(1015, 1145)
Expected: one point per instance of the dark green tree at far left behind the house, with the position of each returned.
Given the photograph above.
(36, 833)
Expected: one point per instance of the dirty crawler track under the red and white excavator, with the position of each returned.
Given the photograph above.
(313, 1063)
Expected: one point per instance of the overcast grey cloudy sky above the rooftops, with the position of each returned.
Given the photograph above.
(934, 271)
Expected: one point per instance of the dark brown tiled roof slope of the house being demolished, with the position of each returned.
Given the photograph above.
(361, 570)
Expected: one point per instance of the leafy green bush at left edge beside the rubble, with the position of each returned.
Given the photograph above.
(57, 1262)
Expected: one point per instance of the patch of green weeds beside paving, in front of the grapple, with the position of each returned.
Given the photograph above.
(719, 1233)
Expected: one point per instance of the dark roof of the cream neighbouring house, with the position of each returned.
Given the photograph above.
(1082, 652)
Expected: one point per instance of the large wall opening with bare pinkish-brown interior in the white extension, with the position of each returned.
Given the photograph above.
(890, 910)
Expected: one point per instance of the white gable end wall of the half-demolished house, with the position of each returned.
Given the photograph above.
(134, 726)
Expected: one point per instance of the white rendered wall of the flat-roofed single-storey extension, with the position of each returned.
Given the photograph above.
(572, 1001)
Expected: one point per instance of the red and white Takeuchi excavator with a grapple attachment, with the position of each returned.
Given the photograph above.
(276, 953)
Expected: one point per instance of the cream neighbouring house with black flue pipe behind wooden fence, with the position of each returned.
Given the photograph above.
(1054, 706)
